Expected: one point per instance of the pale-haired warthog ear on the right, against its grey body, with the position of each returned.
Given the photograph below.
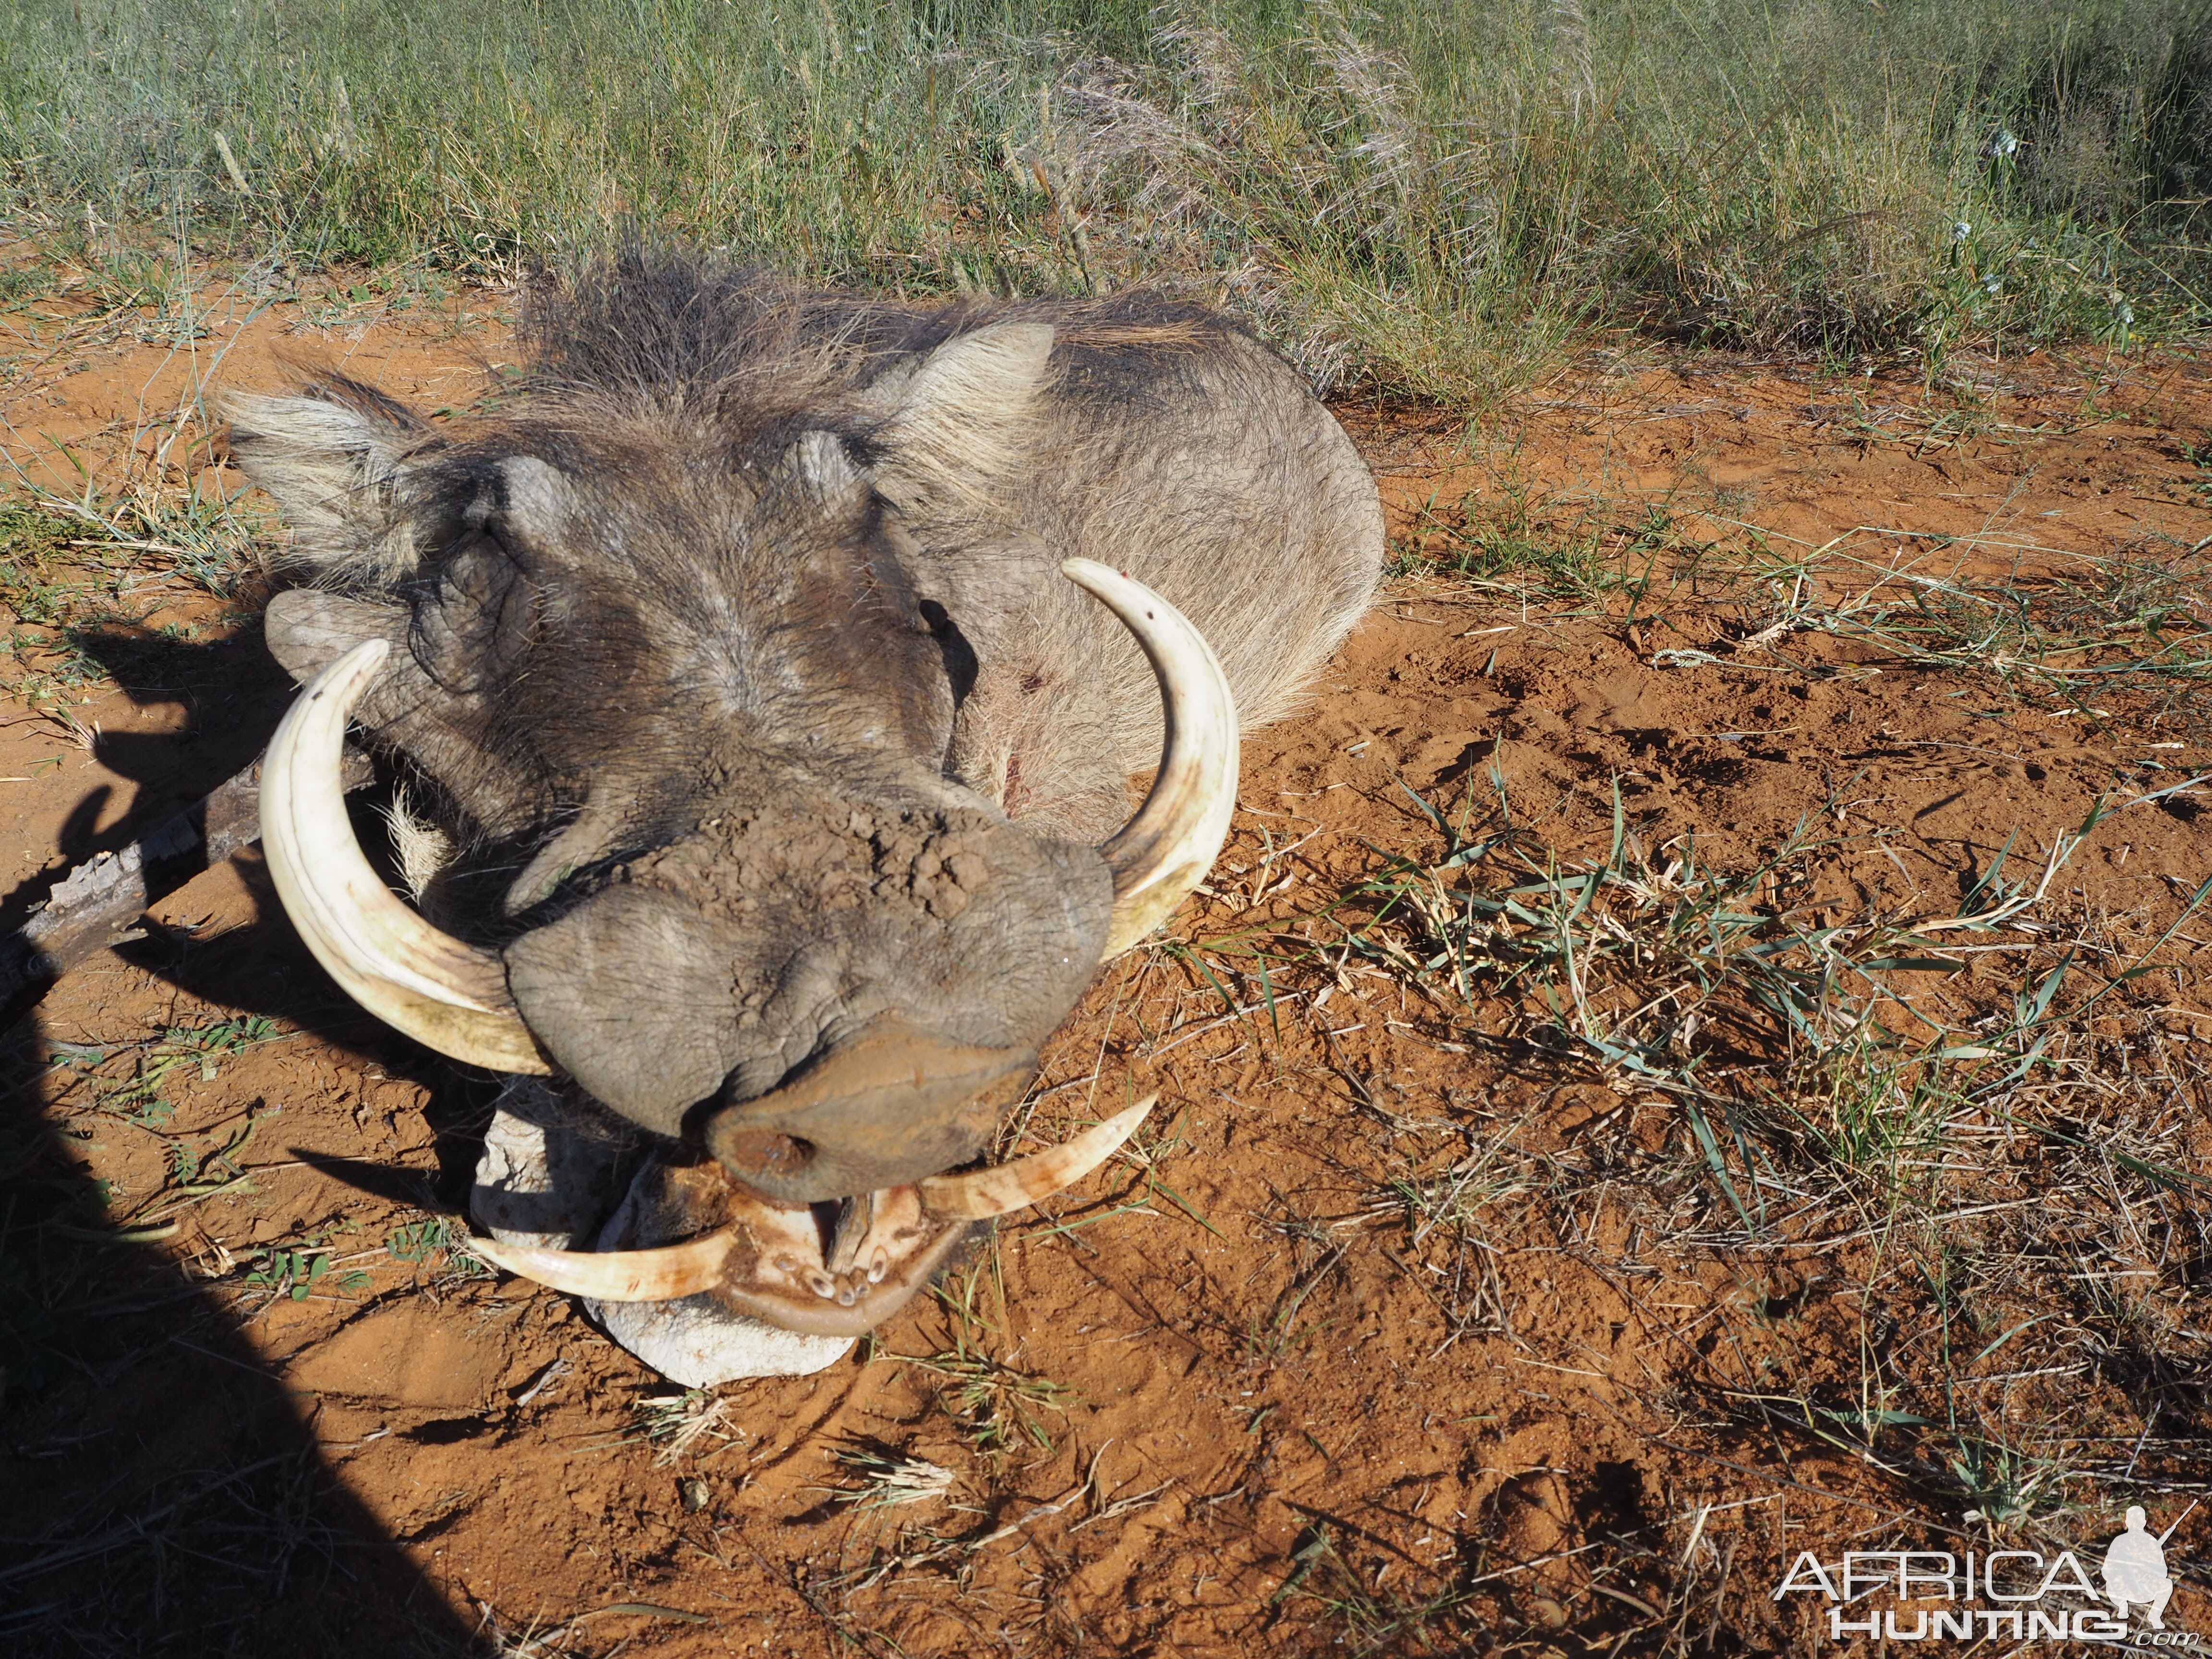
(959, 419)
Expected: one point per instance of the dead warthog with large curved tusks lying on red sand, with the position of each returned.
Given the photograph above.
(780, 662)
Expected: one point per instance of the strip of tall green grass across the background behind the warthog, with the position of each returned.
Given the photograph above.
(1428, 198)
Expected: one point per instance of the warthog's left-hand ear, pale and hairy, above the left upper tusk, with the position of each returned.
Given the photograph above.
(335, 457)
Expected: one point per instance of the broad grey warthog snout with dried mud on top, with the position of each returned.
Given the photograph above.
(939, 948)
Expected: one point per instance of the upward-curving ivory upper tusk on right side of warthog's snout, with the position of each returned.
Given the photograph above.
(1178, 833)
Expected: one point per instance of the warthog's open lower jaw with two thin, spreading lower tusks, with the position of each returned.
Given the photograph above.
(773, 1262)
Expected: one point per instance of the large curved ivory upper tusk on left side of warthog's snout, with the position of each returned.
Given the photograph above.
(399, 968)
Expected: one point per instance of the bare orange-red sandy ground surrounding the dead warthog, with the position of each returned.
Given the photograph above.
(1399, 1335)
